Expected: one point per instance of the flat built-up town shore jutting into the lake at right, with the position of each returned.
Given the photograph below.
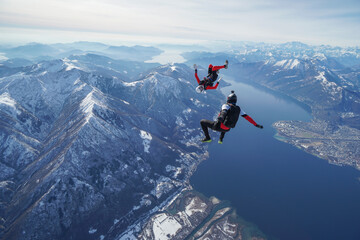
(338, 147)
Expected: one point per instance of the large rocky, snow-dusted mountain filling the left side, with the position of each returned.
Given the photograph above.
(85, 154)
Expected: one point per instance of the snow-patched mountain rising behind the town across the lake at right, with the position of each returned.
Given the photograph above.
(333, 92)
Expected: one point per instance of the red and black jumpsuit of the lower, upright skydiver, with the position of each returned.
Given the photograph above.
(219, 125)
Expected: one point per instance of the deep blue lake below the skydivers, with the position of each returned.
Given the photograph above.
(286, 192)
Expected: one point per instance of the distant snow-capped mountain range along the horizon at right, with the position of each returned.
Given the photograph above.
(258, 52)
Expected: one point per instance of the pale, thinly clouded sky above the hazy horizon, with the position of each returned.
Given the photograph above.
(315, 22)
